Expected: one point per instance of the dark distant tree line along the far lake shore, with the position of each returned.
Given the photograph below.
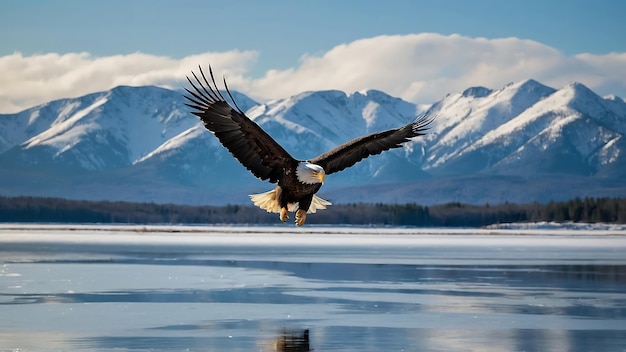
(57, 210)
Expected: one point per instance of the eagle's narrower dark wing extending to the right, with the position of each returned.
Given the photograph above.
(360, 148)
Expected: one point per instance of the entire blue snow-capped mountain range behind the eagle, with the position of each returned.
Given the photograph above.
(523, 142)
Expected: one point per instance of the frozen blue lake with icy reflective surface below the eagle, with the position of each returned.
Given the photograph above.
(179, 288)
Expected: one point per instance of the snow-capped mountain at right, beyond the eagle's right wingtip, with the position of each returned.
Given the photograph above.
(535, 128)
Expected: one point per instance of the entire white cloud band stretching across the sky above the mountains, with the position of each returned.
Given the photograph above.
(420, 67)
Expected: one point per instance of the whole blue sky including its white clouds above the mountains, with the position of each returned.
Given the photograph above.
(74, 45)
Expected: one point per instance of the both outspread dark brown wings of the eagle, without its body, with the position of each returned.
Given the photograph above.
(265, 158)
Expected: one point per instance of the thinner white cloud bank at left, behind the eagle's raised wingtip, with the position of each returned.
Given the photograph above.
(30, 80)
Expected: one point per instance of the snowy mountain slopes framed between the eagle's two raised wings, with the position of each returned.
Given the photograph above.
(311, 123)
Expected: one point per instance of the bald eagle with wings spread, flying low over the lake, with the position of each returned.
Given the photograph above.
(298, 180)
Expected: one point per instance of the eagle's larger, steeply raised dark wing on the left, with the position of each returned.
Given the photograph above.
(245, 140)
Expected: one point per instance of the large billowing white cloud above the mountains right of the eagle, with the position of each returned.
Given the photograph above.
(425, 67)
